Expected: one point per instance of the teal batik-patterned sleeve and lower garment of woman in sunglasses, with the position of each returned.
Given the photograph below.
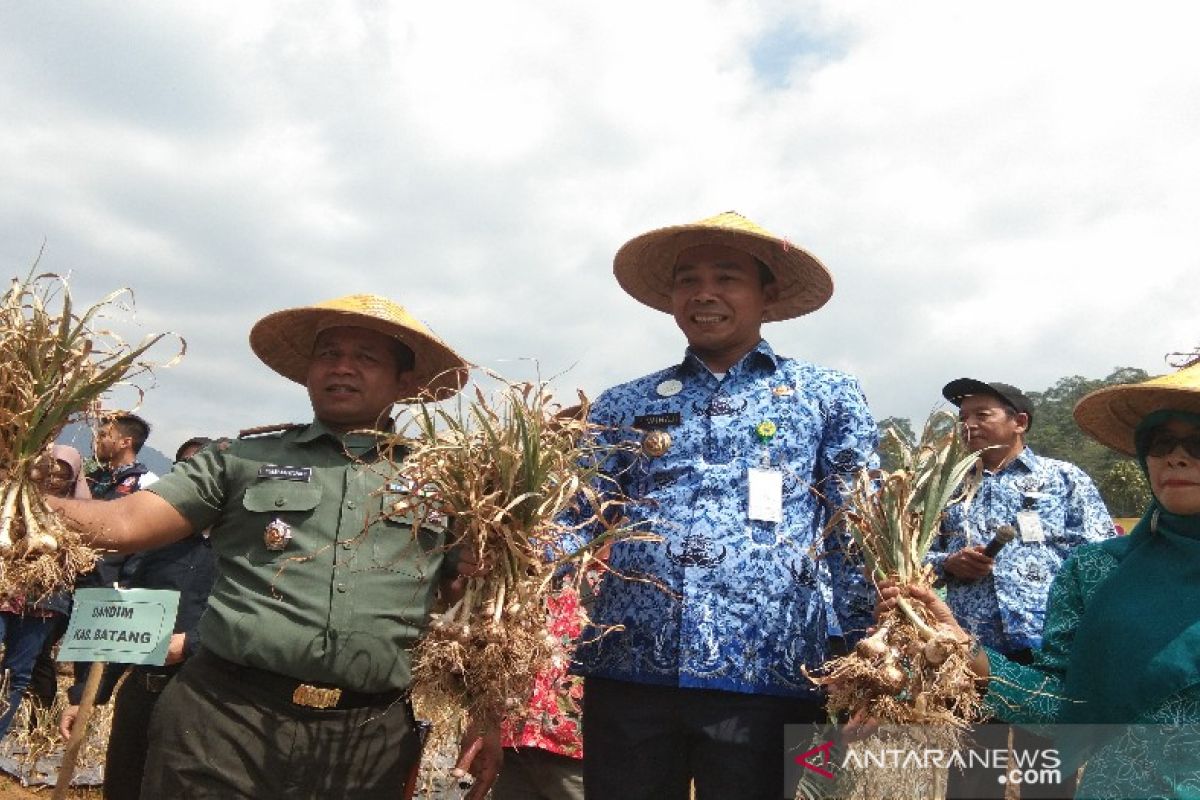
(1159, 756)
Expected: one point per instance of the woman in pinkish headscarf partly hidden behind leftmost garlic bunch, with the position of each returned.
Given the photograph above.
(26, 628)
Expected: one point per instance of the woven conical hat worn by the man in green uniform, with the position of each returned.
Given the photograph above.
(284, 341)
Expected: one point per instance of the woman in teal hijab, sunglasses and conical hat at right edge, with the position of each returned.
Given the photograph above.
(1120, 660)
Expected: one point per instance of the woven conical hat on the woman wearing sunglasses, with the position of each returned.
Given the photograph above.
(1112, 416)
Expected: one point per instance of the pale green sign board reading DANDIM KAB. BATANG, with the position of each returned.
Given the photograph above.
(131, 627)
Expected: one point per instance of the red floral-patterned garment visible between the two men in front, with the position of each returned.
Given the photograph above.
(551, 720)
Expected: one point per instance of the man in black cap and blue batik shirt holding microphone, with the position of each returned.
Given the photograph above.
(1052, 506)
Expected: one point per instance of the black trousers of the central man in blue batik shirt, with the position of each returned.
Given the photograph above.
(650, 743)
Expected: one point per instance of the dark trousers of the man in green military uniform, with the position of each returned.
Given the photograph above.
(220, 736)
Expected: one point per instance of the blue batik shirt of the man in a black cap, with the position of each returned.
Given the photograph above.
(1006, 610)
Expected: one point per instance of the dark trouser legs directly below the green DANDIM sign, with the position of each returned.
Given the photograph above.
(127, 756)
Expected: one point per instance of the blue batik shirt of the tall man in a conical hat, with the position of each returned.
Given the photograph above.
(723, 601)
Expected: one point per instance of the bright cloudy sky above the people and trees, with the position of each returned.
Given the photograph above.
(1005, 191)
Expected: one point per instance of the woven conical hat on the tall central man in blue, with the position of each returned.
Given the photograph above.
(645, 264)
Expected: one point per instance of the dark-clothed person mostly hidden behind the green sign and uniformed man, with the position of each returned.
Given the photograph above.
(189, 568)
